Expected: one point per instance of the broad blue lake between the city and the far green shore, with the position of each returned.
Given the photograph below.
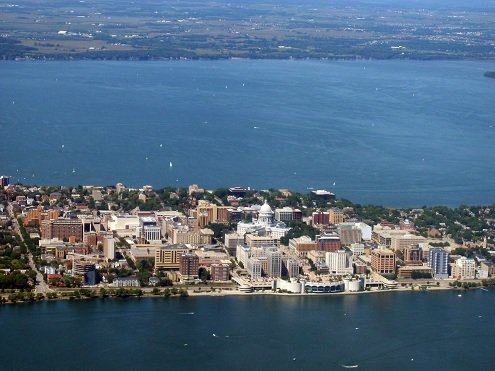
(398, 133)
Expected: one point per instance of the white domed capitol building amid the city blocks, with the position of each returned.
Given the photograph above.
(264, 225)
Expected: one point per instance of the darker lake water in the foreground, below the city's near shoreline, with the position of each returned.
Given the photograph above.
(389, 331)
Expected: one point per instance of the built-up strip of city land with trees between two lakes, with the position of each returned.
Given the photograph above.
(91, 241)
